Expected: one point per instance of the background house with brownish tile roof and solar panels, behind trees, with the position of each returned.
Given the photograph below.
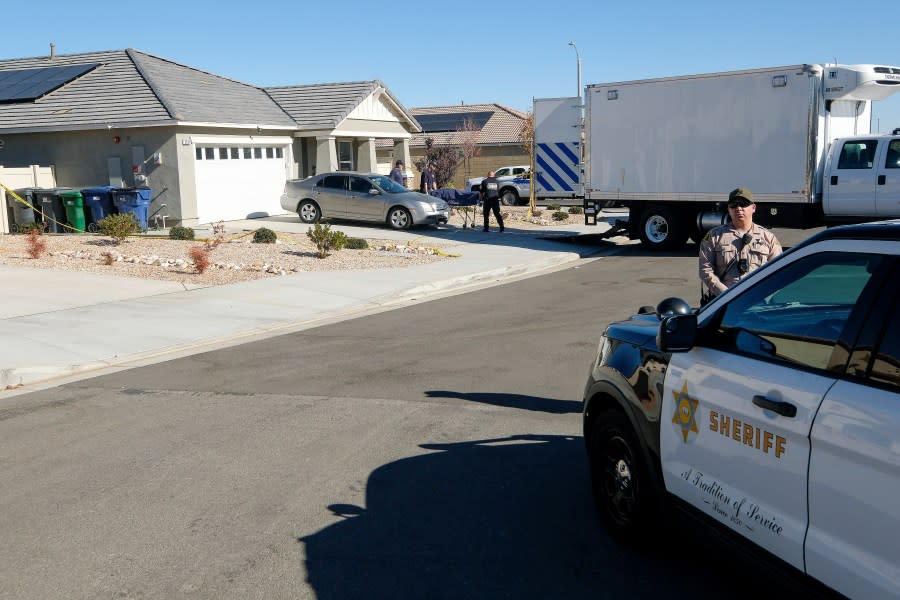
(498, 139)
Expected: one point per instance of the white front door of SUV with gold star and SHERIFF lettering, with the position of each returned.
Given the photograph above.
(738, 408)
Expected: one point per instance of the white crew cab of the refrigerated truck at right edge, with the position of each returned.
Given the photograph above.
(862, 178)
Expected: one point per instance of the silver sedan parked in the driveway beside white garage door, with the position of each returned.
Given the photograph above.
(361, 197)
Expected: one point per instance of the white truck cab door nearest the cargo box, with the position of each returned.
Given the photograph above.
(850, 187)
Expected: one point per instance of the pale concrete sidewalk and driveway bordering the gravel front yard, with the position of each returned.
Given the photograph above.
(57, 326)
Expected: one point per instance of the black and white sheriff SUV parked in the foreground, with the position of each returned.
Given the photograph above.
(772, 413)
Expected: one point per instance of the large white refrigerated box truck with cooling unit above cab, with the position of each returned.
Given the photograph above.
(799, 137)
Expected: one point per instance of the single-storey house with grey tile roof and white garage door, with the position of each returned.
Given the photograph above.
(210, 148)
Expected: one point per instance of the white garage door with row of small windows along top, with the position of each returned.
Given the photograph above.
(239, 181)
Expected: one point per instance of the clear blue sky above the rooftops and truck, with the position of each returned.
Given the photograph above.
(465, 51)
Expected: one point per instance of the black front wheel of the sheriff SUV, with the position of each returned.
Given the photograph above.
(619, 478)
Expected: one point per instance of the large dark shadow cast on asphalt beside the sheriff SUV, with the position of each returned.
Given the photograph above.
(496, 518)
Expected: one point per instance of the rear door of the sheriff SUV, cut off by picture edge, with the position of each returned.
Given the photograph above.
(853, 543)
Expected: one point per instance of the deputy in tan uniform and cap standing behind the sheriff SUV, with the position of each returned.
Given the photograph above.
(729, 252)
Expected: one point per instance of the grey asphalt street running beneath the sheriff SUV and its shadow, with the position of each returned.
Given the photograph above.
(429, 451)
